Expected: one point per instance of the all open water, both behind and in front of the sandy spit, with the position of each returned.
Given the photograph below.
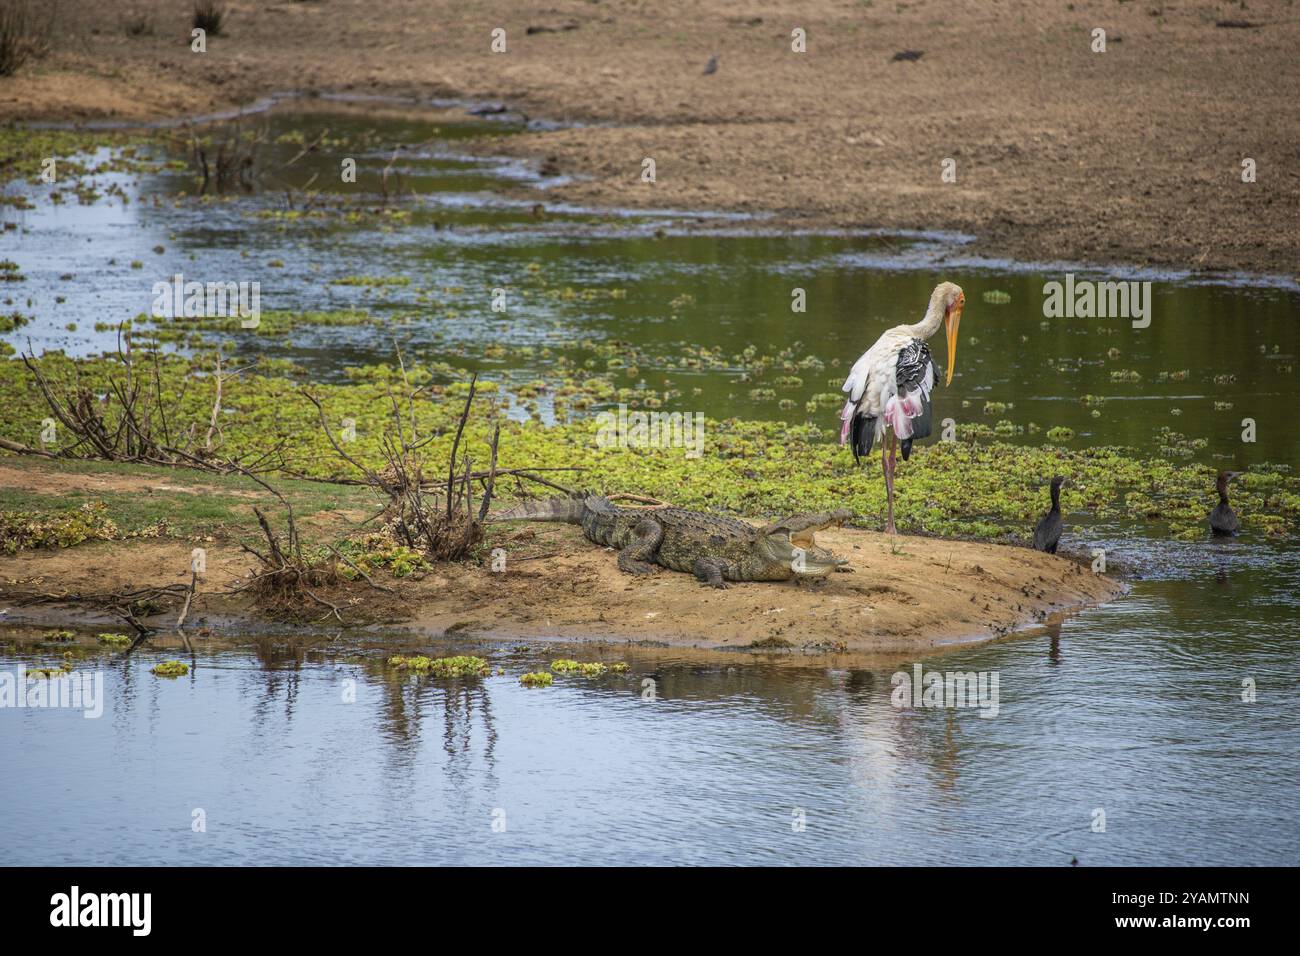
(1134, 708)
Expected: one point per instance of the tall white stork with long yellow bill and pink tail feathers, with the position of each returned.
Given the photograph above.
(890, 387)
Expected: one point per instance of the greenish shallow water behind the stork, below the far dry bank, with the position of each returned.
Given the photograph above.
(665, 284)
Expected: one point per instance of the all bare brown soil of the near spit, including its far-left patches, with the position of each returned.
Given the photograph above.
(904, 595)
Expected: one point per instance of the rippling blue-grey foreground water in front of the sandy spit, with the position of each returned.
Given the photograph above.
(1134, 710)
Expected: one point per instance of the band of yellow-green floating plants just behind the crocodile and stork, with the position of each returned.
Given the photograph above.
(978, 486)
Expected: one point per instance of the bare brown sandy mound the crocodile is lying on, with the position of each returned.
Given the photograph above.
(903, 595)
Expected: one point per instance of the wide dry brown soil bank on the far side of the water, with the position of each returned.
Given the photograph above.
(1063, 154)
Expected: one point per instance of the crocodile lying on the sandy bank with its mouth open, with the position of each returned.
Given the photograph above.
(716, 548)
